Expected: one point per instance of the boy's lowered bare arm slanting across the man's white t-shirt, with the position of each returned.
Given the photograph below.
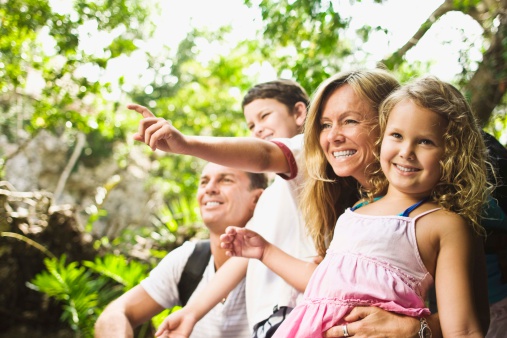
(181, 323)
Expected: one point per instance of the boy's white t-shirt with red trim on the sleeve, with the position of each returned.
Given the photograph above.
(277, 218)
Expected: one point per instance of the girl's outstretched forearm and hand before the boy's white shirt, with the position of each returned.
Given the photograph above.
(247, 243)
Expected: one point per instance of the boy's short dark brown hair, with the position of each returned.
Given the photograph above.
(285, 91)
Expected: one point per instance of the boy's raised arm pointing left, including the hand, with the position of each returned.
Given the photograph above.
(244, 153)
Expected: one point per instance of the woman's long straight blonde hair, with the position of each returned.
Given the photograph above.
(324, 195)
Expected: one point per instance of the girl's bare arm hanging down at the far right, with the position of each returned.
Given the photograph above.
(460, 269)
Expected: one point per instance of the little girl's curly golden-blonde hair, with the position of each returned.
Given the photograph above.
(463, 187)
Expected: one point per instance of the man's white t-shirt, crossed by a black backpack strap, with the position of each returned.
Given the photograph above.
(227, 320)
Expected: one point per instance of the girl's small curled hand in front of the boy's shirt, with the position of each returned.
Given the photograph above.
(243, 243)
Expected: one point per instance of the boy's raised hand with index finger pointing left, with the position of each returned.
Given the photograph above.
(157, 132)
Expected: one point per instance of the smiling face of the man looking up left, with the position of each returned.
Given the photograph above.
(225, 197)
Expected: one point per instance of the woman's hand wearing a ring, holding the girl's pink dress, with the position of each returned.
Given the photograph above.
(374, 322)
